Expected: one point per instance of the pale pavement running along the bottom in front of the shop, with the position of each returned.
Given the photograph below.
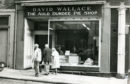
(28, 75)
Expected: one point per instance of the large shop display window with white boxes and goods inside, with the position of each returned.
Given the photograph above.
(76, 41)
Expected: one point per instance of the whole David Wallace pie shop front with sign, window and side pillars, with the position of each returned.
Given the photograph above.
(76, 30)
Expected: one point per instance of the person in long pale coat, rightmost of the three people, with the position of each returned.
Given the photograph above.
(55, 60)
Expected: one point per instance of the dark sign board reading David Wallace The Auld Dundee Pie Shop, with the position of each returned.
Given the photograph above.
(66, 10)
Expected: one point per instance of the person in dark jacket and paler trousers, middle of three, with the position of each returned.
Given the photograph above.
(47, 58)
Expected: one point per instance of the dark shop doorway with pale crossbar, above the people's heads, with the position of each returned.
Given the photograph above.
(41, 34)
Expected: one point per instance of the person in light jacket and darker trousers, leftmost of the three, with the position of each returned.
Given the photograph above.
(37, 59)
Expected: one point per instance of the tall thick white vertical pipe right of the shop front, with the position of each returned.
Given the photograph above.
(121, 41)
